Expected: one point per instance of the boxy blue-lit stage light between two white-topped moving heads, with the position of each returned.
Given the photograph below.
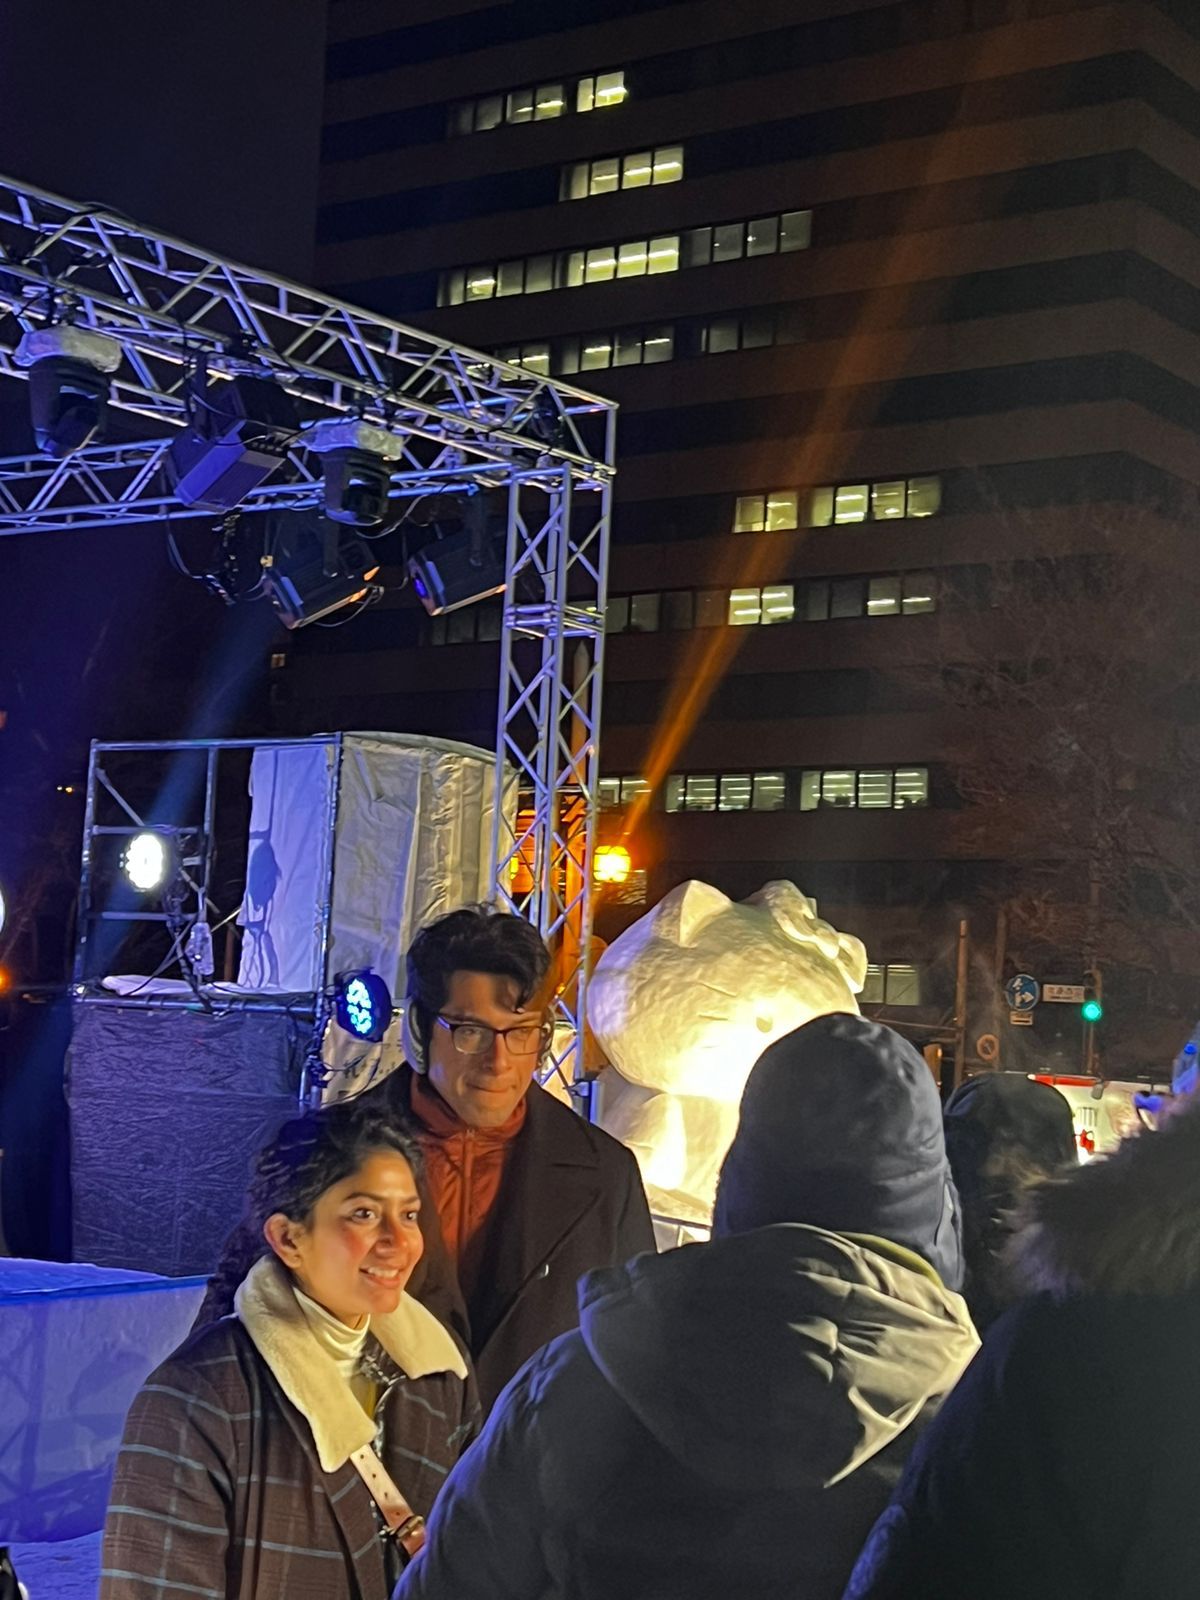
(238, 434)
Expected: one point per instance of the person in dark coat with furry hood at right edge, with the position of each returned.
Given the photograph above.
(1063, 1465)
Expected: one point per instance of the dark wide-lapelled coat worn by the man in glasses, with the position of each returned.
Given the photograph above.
(572, 1201)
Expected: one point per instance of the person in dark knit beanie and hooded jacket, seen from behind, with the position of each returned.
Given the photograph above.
(730, 1418)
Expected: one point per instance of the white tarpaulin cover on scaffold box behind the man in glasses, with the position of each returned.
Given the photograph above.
(412, 841)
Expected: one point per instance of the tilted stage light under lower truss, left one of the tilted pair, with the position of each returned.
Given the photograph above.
(313, 567)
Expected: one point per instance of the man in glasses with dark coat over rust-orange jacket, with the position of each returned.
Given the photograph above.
(529, 1194)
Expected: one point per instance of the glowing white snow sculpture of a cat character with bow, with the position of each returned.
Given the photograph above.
(684, 1002)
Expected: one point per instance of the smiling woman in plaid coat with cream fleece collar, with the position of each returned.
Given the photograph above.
(249, 1468)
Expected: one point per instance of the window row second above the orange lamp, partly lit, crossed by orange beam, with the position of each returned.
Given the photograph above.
(817, 601)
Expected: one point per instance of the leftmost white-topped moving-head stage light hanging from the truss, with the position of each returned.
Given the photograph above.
(68, 385)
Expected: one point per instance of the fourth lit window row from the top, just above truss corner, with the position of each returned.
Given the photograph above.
(590, 353)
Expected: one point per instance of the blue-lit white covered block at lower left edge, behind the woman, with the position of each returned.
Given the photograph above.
(76, 1346)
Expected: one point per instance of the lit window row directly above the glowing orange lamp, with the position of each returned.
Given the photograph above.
(865, 790)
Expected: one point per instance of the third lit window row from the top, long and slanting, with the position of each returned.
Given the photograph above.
(636, 258)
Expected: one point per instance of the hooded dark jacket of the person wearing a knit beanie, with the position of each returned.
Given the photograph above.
(726, 1423)
